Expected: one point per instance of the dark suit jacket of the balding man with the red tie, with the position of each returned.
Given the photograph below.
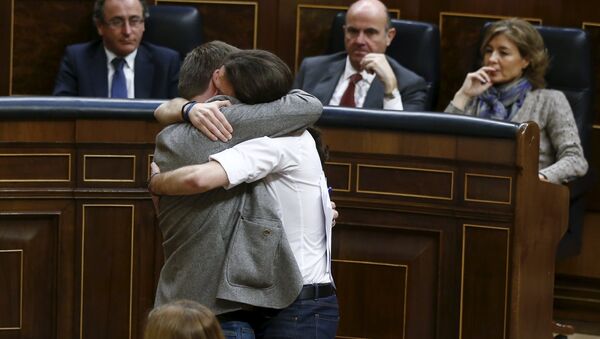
(320, 74)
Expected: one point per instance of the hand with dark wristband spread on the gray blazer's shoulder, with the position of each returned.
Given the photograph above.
(209, 120)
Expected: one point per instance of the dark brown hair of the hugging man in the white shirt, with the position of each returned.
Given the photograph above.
(257, 76)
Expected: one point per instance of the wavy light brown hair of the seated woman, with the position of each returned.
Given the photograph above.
(529, 42)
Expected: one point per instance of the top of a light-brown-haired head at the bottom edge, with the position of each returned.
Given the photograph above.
(182, 319)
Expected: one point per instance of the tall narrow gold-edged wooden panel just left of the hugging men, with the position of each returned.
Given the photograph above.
(106, 283)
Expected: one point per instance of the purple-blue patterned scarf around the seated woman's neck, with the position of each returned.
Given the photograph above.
(501, 102)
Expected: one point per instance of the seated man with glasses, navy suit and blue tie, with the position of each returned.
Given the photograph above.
(118, 66)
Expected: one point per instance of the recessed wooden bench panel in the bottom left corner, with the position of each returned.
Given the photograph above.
(29, 254)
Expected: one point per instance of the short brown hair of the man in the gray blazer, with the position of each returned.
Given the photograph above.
(198, 66)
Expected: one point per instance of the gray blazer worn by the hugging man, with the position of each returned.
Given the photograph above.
(227, 248)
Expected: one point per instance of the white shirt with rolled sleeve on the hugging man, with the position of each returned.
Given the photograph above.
(292, 171)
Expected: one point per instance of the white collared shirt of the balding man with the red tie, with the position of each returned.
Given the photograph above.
(362, 87)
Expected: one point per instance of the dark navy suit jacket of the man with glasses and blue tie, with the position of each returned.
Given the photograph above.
(83, 71)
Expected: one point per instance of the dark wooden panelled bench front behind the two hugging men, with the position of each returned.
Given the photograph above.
(439, 236)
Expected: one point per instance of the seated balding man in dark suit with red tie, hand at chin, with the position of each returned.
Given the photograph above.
(363, 76)
